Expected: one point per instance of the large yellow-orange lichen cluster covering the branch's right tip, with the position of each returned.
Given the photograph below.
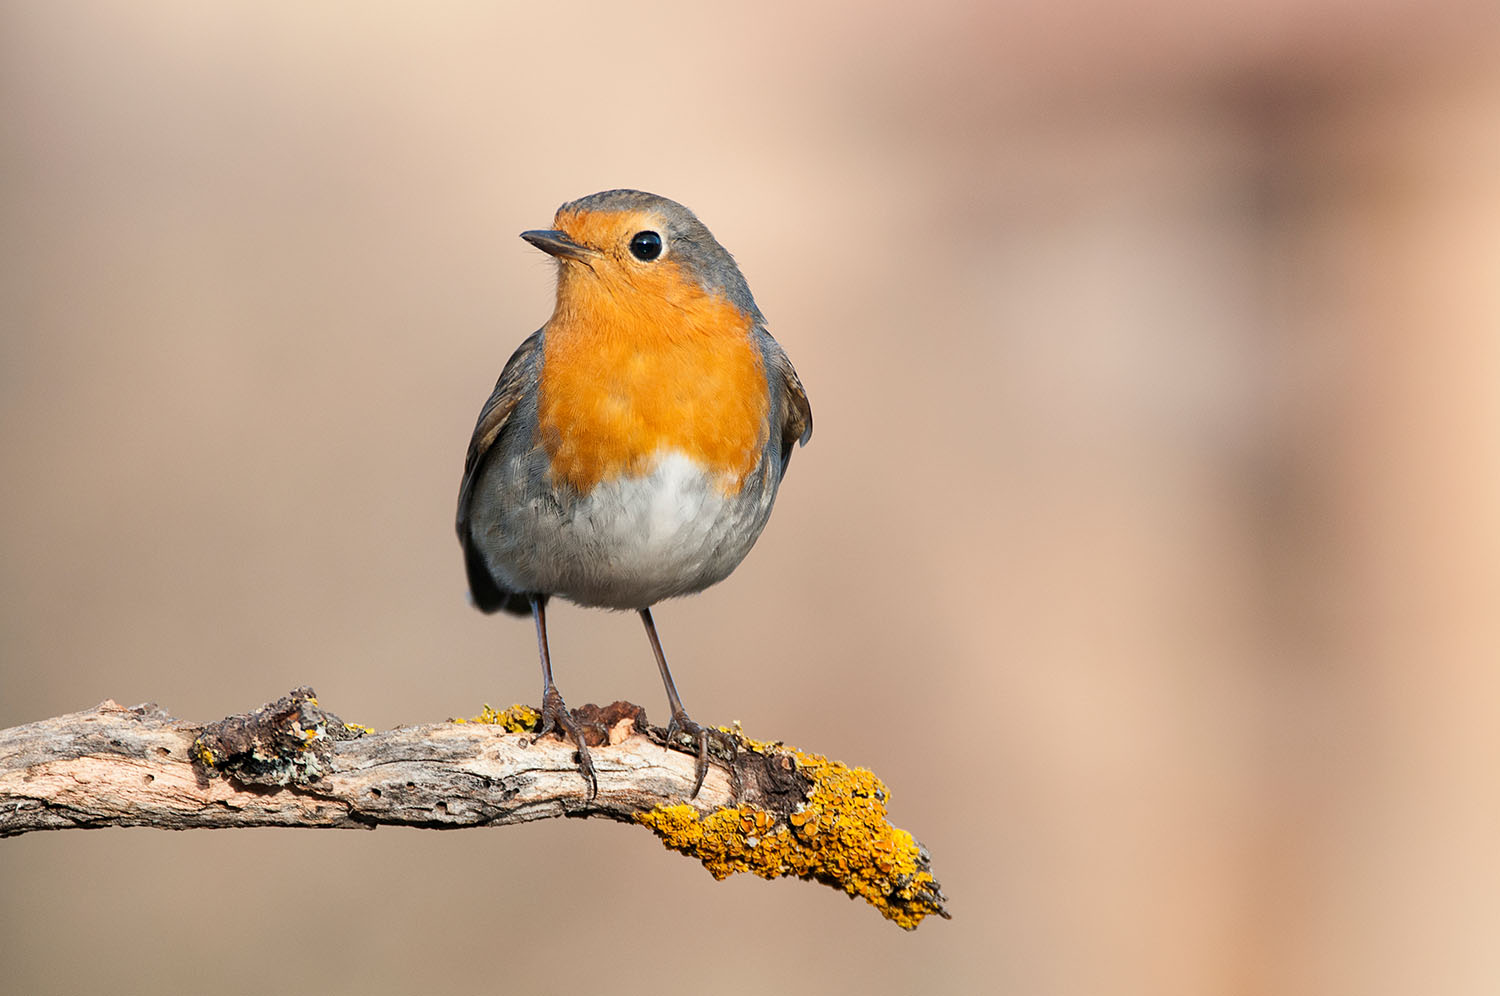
(839, 836)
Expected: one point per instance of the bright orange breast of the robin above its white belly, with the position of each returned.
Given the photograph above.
(631, 368)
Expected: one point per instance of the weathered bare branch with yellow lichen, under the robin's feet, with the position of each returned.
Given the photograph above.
(770, 809)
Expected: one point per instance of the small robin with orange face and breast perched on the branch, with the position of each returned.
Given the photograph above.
(632, 448)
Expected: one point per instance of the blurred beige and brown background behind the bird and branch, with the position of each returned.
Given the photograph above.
(1148, 545)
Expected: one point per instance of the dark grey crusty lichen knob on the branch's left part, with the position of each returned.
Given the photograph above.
(287, 742)
